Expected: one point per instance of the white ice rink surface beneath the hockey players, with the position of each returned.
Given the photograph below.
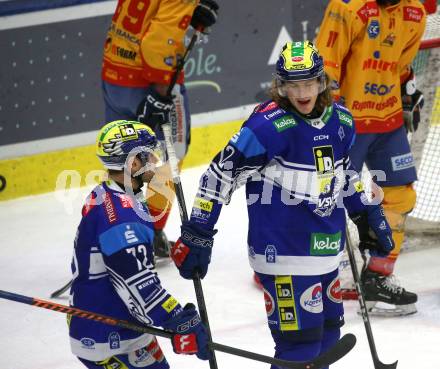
(37, 235)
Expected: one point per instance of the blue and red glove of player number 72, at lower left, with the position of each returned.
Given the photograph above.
(190, 334)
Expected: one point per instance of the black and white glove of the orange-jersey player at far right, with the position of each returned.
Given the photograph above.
(412, 103)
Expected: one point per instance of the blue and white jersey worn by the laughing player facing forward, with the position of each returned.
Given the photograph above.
(295, 171)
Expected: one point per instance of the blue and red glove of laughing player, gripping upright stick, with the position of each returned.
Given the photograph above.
(192, 251)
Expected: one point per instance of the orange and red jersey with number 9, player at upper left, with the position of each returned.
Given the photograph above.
(144, 39)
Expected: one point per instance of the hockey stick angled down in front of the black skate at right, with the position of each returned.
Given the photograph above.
(357, 281)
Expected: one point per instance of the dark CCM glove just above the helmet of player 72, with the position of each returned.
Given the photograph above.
(155, 109)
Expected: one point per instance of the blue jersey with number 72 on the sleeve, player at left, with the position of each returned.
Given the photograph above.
(113, 274)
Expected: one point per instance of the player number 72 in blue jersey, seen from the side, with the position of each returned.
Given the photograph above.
(113, 271)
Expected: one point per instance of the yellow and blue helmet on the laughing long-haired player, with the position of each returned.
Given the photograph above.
(299, 61)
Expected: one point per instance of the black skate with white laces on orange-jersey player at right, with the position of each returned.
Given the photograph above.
(384, 297)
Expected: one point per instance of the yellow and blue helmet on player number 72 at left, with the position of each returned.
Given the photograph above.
(121, 138)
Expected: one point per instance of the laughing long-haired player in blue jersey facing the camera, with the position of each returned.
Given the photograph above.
(292, 155)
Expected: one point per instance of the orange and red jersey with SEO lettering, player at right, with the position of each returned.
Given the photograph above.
(367, 50)
